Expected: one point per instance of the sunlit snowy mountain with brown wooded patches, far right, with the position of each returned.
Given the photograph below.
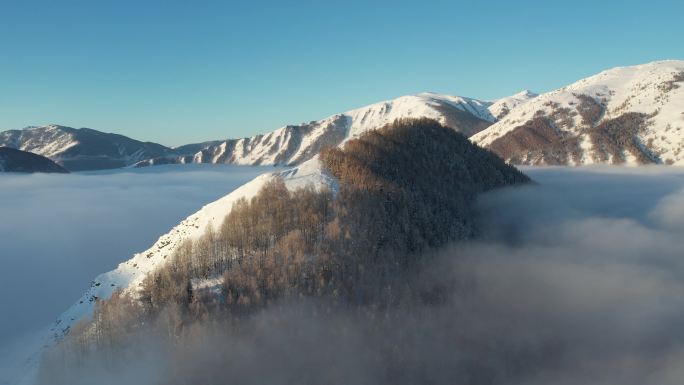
(626, 115)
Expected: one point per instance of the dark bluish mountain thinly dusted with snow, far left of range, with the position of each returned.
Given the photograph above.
(84, 148)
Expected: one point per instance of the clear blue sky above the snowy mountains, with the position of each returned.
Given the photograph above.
(184, 71)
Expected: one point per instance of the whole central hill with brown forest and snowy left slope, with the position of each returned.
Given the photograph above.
(345, 225)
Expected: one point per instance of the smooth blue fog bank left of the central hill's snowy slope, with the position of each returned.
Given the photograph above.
(57, 232)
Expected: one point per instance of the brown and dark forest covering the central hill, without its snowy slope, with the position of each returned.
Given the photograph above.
(405, 190)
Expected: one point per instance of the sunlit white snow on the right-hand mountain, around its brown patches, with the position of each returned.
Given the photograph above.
(655, 89)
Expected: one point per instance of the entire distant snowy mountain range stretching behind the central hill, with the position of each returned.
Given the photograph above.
(626, 115)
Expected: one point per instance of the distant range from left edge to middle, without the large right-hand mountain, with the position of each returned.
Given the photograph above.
(88, 149)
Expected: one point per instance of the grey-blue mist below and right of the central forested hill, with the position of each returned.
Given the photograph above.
(576, 279)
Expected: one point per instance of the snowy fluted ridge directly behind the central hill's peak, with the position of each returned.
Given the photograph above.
(291, 145)
